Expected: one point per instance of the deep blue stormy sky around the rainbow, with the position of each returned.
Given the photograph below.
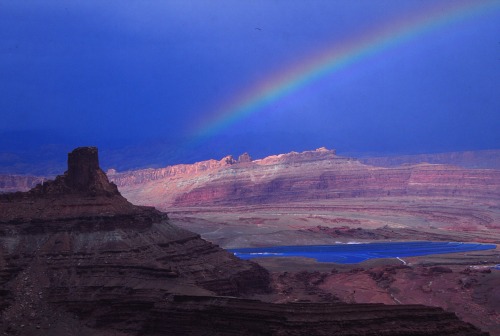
(133, 77)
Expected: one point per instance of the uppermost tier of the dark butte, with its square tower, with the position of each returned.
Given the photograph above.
(76, 200)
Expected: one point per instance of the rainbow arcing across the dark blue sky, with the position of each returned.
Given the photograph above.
(339, 56)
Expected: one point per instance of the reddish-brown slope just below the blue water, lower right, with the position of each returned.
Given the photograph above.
(471, 292)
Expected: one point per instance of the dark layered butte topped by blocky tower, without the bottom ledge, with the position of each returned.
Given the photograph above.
(76, 244)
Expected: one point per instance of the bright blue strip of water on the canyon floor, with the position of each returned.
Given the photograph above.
(355, 253)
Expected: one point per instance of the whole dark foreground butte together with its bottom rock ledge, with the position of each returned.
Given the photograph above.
(78, 258)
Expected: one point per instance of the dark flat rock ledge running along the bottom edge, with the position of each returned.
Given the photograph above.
(226, 316)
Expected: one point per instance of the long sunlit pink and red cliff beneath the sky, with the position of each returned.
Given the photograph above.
(310, 175)
